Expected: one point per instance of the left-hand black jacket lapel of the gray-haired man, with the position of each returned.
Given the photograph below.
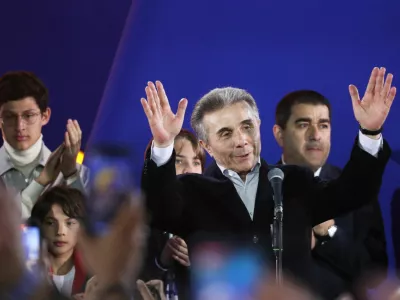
(227, 197)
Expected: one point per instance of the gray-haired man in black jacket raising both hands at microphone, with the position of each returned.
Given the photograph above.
(234, 199)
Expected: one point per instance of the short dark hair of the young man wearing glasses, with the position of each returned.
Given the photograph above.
(18, 85)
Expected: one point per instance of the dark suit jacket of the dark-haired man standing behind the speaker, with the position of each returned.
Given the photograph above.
(356, 252)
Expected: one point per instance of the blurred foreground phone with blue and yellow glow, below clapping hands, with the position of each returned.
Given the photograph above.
(111, 183)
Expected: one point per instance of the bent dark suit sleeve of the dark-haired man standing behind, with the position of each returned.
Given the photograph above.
(358, 253)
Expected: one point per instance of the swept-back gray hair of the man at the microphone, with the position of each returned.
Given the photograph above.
(215, 100)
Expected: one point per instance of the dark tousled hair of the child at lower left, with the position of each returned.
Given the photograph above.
(71, 201)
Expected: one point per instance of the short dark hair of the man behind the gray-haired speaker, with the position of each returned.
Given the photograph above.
(285, 105)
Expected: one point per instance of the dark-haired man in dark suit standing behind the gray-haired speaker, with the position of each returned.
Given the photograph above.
(349, 249)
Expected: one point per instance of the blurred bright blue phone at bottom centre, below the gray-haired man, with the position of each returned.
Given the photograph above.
(219, 271)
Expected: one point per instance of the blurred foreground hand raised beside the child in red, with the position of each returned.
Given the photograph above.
(116, 257)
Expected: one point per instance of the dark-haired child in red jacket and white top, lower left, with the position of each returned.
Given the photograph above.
(59, 212)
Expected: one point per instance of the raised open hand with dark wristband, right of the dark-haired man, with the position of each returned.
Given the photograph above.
(372, 110)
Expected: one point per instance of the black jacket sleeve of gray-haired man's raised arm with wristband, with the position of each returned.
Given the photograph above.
(359, 184)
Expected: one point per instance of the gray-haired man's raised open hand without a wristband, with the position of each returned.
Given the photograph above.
(164, 124)
